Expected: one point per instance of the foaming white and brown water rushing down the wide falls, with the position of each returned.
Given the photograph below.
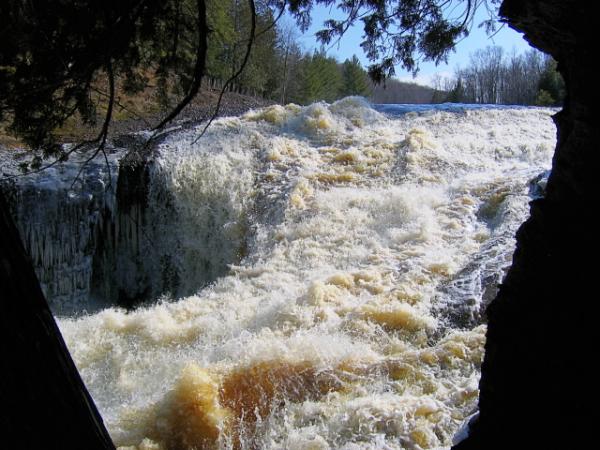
(364, 245)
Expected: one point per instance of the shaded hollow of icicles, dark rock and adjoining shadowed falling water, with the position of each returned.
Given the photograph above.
(129, 231)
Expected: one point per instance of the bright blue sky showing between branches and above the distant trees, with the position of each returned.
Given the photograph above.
(350, 44)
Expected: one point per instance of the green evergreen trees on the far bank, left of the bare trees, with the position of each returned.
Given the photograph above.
(276, 68)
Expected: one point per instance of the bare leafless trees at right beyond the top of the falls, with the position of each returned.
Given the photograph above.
(494, 77)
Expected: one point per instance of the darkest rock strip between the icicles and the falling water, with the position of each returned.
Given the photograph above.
(134, 261)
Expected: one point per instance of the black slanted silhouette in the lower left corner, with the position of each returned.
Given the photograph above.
(44, 402)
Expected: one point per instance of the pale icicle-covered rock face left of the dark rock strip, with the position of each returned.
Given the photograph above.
(61, 216)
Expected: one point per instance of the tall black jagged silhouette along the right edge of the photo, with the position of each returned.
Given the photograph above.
(536, 377)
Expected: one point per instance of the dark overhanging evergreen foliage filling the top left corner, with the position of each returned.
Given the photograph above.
(52, 51)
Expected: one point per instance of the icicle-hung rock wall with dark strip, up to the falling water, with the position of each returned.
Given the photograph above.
(93, 241)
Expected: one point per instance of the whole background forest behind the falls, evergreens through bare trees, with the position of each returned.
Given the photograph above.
(279, 69)
